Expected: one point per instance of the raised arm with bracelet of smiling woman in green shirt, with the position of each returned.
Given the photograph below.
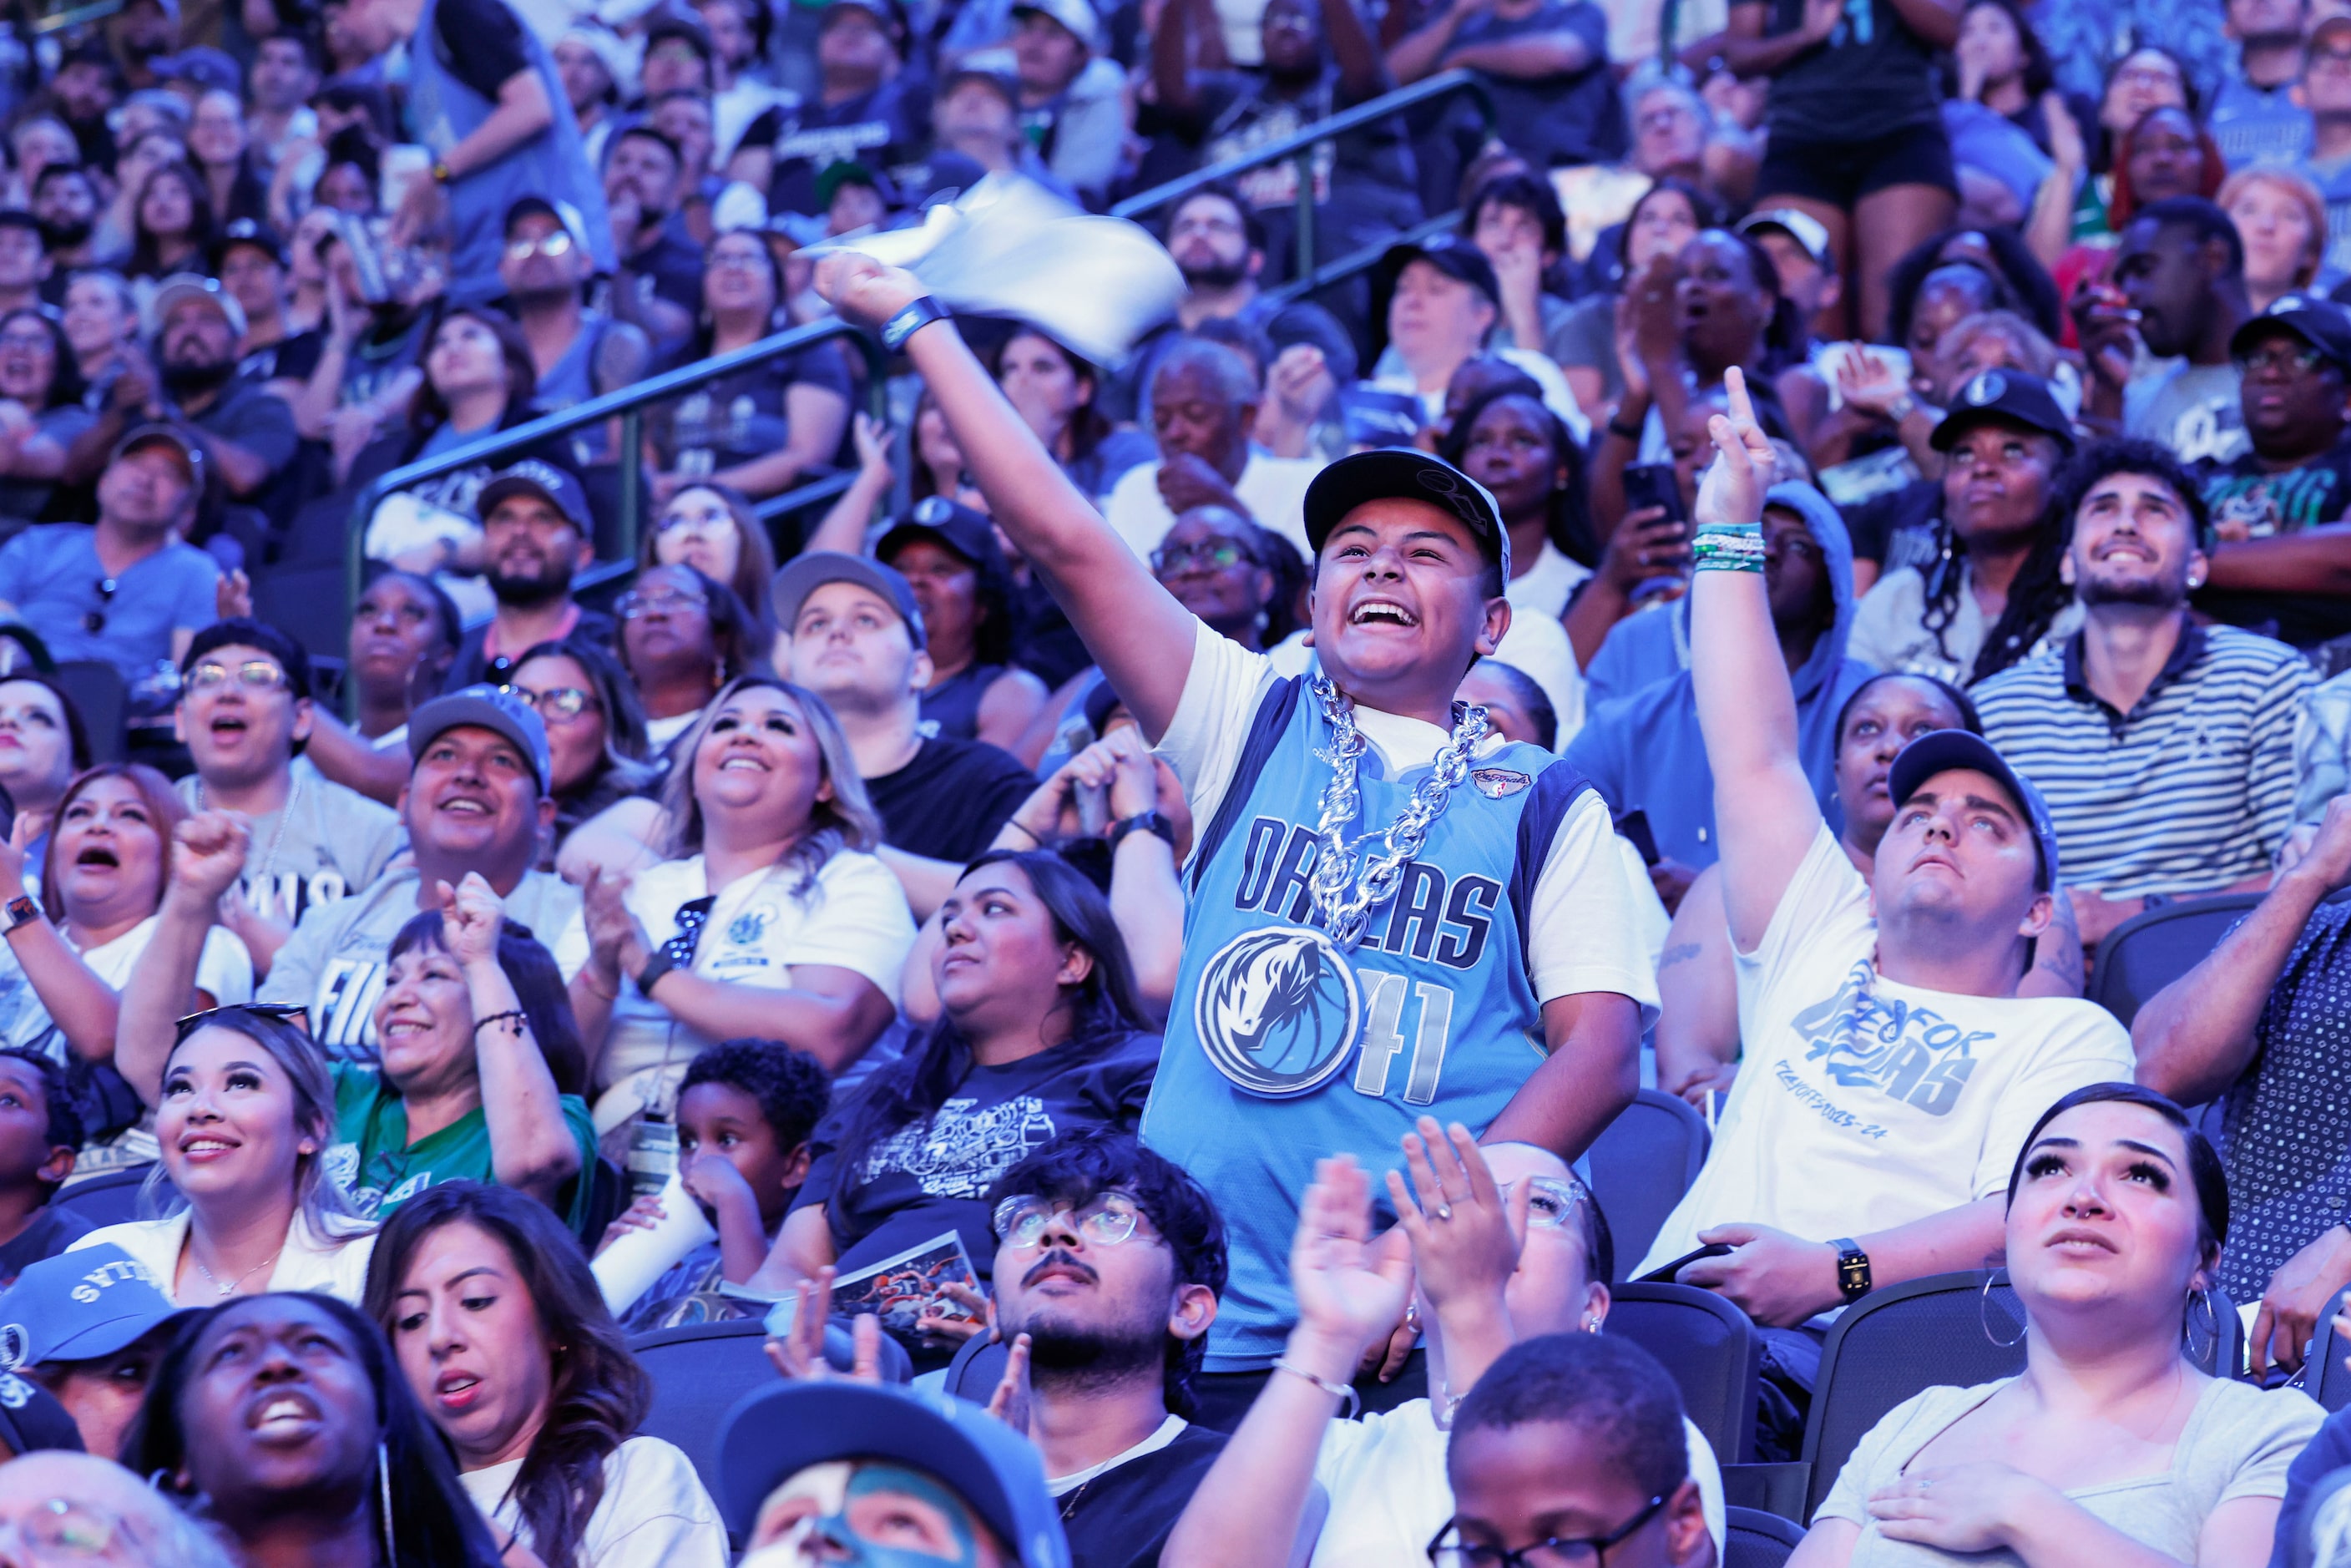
(530, 1146)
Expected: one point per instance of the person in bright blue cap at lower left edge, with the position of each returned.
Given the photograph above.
(91, 1327)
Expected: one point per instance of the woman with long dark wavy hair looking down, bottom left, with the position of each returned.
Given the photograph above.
(507, 1341)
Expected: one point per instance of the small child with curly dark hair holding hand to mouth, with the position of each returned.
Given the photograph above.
(744, 1118)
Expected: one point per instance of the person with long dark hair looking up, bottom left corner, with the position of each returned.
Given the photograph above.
(288, 1423)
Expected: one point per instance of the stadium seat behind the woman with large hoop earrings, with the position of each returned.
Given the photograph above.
(1931, 1332)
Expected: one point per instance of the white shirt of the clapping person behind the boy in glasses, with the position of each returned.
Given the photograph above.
(1386, 1477)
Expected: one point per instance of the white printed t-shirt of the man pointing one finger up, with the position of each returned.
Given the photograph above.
(1866, 1104)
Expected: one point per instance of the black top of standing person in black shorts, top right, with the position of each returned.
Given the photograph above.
(1873, 79)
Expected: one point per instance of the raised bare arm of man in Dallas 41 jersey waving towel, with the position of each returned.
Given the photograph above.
(1132, 626)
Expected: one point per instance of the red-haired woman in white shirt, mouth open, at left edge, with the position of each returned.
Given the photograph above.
(105, 869)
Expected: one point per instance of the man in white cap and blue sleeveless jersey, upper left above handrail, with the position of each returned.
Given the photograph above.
(580, 354)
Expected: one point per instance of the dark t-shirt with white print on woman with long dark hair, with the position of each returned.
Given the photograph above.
(935, 1177)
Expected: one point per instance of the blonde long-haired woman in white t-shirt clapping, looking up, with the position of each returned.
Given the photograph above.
(770, 920)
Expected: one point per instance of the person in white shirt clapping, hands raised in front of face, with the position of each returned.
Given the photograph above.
(1506, 1245)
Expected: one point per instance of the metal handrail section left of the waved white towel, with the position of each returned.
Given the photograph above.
(629, 406)
